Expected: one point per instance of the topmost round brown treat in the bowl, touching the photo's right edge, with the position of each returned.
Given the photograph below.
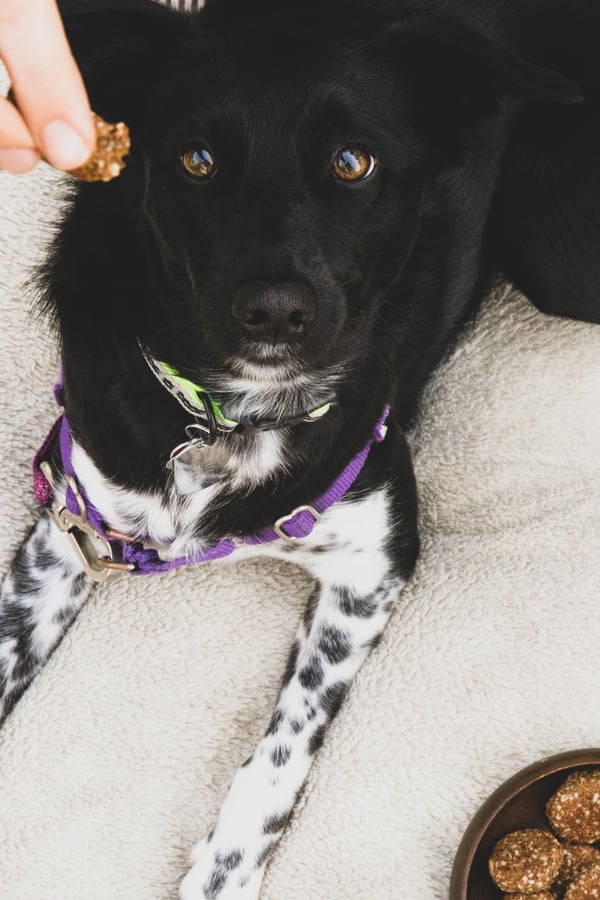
(574, 810)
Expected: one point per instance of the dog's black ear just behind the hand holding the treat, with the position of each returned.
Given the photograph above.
(121, 47)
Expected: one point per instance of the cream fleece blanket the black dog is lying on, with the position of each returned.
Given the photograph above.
(119, 756)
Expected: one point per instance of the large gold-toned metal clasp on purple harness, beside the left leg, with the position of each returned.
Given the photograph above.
(94, 552)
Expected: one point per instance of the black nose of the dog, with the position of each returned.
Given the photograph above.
(274, 312)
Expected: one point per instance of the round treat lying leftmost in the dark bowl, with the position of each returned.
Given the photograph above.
(526, 861)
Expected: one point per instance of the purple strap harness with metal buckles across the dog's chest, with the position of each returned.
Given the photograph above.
(80, 515)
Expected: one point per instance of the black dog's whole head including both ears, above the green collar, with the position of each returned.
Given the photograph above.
(280, 161)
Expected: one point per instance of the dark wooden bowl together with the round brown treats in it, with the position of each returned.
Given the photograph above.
(537, 837)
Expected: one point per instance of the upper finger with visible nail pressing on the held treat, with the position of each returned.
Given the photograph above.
(46, 81)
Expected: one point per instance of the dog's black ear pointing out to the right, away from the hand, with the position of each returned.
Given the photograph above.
(460, 78)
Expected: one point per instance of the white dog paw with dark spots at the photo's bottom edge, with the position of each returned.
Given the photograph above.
(220, 875)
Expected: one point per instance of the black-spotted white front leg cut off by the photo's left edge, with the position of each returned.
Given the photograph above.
(41, 595)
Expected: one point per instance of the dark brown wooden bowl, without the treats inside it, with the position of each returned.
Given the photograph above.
(518, 803)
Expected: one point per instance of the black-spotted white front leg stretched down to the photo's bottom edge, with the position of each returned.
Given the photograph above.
(345, 617)
